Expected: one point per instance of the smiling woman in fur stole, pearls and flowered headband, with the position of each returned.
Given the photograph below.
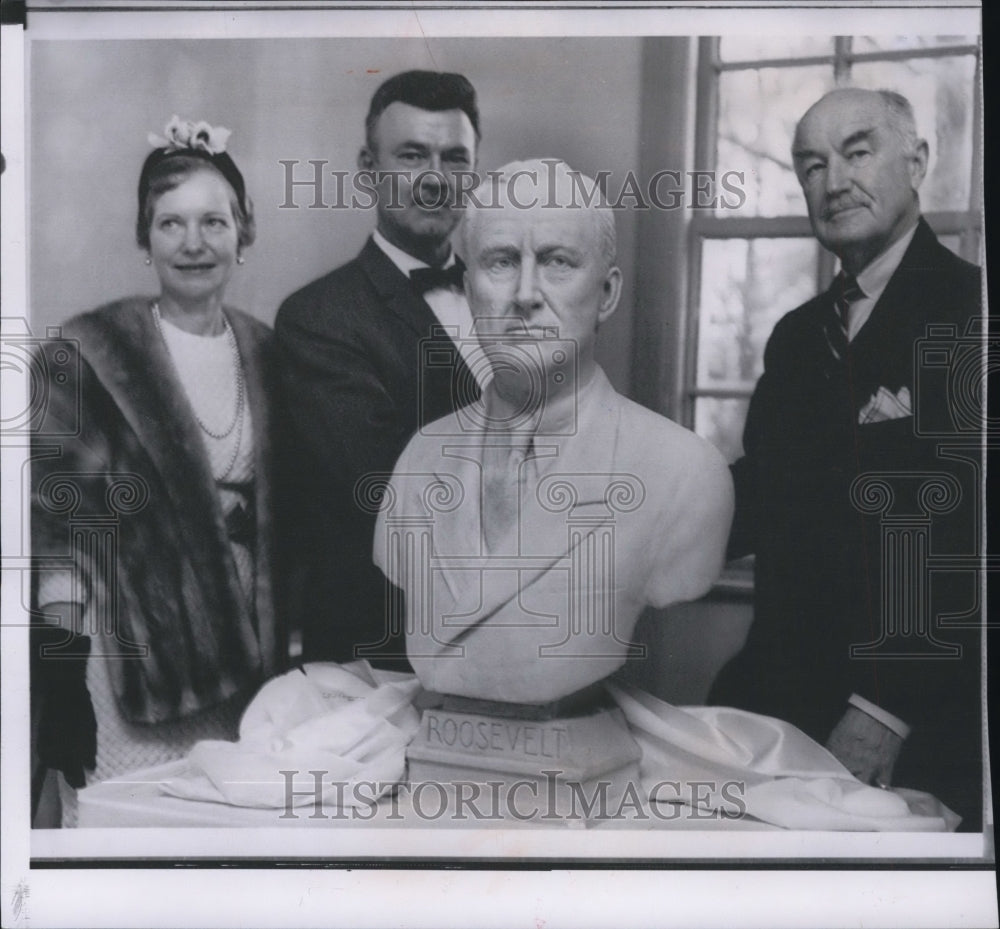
(150, 523)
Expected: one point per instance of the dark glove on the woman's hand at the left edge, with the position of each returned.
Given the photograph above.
(67, 727)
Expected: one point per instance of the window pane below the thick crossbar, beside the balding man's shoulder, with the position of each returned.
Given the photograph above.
(747, 285)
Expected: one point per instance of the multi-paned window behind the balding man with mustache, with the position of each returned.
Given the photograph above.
(751, 265)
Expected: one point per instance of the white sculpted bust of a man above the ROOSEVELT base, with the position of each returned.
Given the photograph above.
(529, 530)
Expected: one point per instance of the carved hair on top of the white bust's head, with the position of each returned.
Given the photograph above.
(570, 189)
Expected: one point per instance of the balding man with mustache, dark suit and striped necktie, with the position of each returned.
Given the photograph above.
(840, 398)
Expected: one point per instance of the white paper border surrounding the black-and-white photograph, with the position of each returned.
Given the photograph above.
(97, 877)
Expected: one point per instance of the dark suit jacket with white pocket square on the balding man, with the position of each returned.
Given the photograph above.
(819, 558)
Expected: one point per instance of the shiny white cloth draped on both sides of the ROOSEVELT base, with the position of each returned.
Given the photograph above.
(353, 723)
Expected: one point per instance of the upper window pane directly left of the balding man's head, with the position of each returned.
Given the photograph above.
(758, 111)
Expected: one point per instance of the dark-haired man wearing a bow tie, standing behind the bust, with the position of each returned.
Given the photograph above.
(350, 354)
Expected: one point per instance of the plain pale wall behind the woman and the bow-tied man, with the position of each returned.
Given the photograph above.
(92, 104)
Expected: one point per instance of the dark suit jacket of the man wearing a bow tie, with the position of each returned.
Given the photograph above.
(358, 385)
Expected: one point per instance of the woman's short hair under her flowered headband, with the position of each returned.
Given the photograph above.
(165, 170)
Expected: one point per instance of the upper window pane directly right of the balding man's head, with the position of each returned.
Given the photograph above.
(940, 90)
